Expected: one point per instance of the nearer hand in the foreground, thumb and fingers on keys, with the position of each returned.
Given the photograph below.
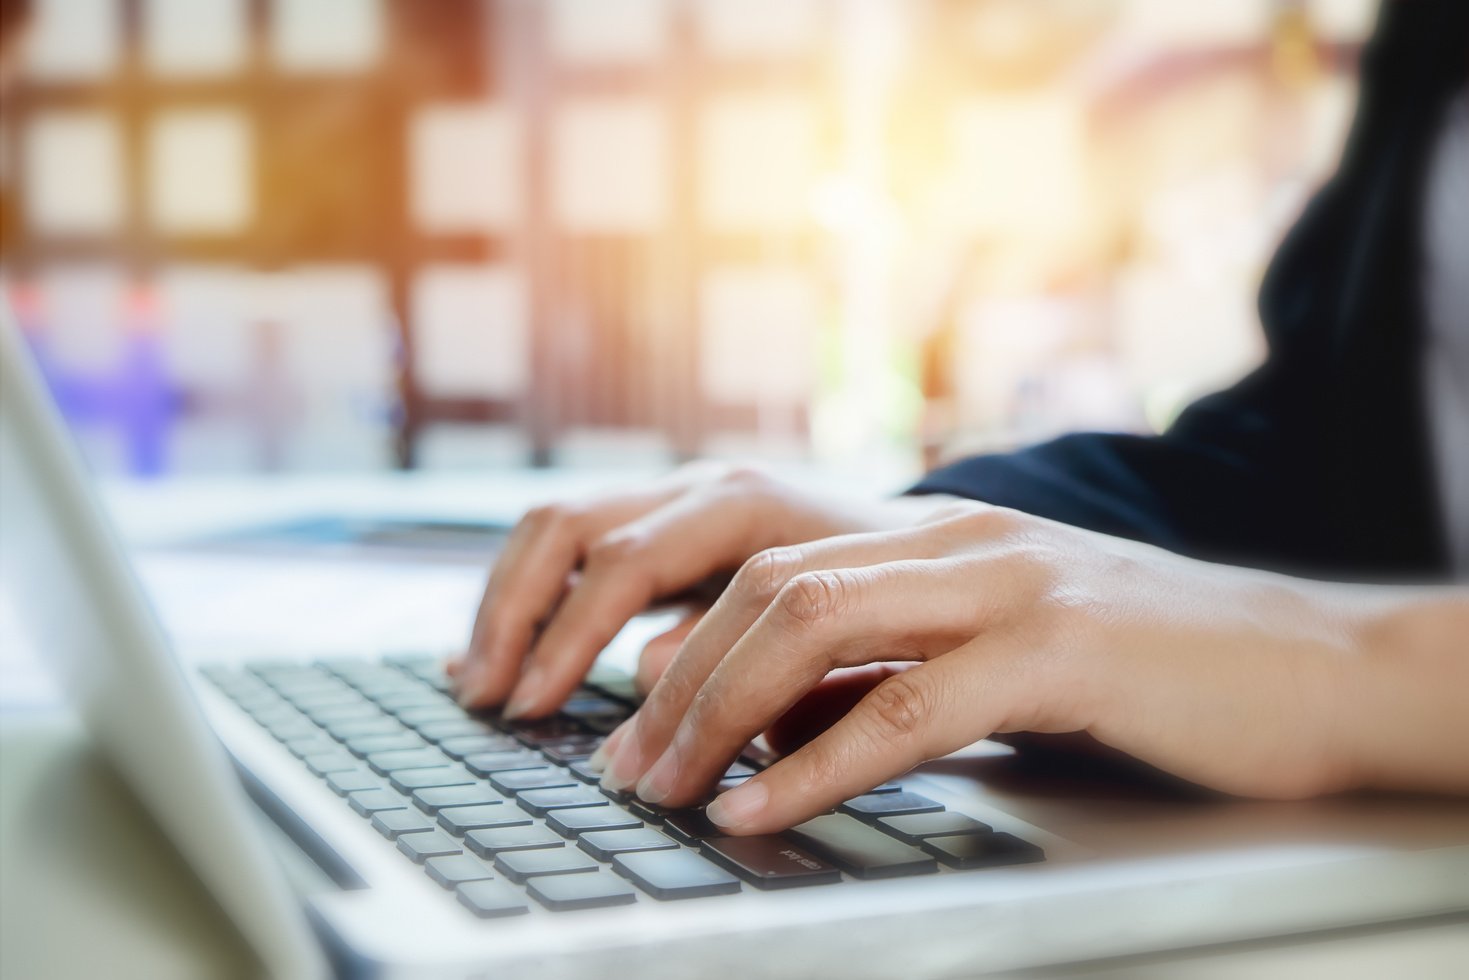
(1241, 681)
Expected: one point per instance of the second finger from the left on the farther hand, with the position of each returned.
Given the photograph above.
(662, 553)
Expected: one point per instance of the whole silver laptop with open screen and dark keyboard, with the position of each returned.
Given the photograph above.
(353, 821)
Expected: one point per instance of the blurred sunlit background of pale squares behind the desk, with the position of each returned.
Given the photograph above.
(344, 236)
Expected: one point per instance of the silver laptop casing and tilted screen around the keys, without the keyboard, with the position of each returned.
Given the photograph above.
(315, 888)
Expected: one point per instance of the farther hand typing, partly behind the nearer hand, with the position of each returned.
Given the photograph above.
(572, 575)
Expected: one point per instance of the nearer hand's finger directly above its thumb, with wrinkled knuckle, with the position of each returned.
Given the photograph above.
(820, 622)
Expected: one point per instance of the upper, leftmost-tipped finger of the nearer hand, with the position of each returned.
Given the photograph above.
(754, 588)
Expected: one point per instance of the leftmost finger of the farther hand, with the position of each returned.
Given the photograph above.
(527, 583)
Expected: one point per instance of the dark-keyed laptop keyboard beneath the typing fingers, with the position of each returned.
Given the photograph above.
(508, 813)
